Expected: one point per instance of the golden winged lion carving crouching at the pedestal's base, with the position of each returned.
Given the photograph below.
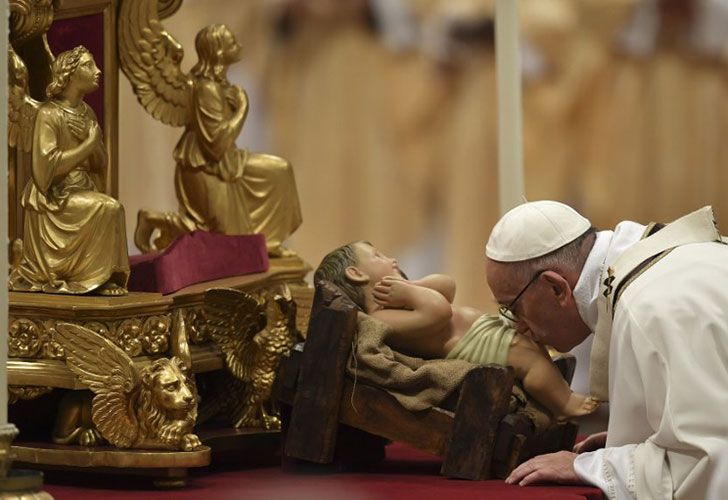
(149, 407)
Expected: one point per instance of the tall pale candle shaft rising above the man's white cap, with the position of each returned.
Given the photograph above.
(508, 69)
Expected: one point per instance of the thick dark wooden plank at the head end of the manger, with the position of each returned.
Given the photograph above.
(312, 430)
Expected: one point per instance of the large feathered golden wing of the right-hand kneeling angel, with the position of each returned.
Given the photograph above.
(150, 57)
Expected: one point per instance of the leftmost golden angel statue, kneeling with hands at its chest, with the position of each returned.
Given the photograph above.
(74, 238)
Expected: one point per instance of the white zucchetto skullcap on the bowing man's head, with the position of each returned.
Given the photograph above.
(534, 229)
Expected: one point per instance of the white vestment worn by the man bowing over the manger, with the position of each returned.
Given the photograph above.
(667, 370)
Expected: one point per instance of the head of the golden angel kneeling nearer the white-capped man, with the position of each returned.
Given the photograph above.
(216, 50)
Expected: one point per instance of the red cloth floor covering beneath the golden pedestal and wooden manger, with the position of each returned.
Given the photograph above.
(405, 474)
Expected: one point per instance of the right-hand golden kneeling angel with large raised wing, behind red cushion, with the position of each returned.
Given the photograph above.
(219, 187)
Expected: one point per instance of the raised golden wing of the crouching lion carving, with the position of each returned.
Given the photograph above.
(110, 374)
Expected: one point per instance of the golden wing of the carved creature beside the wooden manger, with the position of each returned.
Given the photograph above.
(233, 318)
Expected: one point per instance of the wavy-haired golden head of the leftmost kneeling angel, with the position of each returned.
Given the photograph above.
(75, 67)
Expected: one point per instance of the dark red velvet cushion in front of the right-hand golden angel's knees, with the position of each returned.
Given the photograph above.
(196, 257)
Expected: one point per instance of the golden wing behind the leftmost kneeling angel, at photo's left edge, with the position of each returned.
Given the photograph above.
(21, 107)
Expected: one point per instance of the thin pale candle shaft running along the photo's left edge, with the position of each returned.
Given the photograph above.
(4, 213)
